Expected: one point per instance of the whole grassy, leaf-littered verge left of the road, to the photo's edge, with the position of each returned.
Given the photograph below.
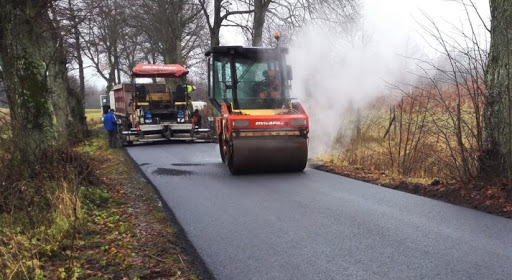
(107, 227)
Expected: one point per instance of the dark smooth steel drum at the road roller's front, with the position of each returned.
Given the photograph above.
(268, 154)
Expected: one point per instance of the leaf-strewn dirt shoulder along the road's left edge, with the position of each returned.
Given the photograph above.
(127, 232)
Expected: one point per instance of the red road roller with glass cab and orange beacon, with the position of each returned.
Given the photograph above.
(260, 128)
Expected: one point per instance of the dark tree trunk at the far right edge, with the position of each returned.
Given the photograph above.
(496, 158)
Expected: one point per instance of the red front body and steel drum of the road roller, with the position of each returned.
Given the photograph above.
(254, 148)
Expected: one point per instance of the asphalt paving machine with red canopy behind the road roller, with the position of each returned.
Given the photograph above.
(149, 112)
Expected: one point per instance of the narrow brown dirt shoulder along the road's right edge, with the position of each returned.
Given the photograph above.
(494, 198)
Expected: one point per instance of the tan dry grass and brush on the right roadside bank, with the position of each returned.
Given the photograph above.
(413, 138)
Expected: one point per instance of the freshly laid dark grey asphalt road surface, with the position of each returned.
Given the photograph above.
(315, 225)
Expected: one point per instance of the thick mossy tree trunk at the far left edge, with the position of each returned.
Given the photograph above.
(26, 50)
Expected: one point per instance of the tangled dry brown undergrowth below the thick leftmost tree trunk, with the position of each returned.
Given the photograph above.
(39, 207)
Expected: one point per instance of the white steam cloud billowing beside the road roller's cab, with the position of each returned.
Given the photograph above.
(335, 75)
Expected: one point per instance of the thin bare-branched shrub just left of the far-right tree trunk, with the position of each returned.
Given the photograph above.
(453, 89)
